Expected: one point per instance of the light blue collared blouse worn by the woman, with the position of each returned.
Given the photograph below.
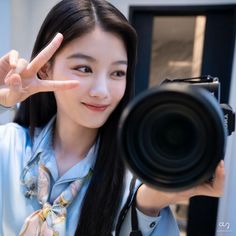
(19, 159)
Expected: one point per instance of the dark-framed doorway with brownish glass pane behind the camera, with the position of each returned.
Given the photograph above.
(182, 42)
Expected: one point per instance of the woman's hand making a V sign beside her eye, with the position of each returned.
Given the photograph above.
(18, 78)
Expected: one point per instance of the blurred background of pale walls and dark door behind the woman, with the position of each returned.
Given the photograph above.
(177, 39)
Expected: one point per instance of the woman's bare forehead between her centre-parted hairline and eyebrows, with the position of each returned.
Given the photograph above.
(98, 43)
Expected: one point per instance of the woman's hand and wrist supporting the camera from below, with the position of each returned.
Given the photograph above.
(150, 200)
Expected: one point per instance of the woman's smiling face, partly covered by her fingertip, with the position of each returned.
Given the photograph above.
(98, 60)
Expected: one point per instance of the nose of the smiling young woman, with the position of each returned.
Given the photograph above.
(99, 88)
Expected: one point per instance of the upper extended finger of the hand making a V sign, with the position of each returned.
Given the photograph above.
(44, 56)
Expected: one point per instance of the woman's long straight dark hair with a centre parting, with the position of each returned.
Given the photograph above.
(73, 18)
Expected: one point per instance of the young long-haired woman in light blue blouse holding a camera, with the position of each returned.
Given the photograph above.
(61, 170)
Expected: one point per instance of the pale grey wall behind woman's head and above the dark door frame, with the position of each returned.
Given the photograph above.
(27, 16)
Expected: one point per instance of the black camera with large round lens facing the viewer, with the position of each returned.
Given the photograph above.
(174, 135)
